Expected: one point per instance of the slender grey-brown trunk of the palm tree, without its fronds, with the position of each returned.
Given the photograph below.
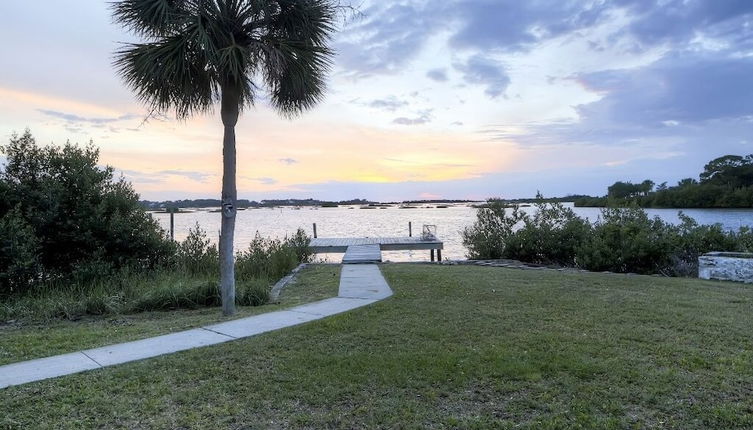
(229, 112)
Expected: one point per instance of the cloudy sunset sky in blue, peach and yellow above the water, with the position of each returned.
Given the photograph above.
(458, 99)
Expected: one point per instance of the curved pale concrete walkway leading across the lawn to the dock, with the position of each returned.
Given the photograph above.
(360, 285)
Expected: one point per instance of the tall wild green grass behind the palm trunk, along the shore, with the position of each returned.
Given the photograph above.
(186, 281)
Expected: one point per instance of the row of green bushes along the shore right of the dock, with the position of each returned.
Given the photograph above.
(621, 240)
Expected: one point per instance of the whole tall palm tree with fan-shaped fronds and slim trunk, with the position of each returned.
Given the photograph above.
(200, 52)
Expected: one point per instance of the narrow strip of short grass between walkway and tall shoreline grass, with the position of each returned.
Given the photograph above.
(23, 340)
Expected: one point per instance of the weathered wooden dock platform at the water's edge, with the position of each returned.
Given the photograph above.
(323, 245)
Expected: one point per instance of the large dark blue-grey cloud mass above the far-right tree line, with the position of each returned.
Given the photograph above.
(681, 111)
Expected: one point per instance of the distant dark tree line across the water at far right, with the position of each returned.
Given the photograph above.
(726, 182)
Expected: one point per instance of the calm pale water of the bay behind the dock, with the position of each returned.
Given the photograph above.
(392, 221)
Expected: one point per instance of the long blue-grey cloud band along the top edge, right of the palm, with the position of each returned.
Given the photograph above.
(391, 35)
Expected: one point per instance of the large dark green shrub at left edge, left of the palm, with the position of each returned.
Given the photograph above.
(85, 221)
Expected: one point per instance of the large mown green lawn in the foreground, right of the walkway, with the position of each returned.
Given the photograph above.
(455, 347)
